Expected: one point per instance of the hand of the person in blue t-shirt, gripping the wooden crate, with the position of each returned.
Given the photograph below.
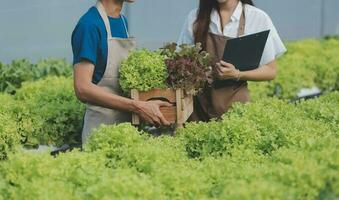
(149, 111)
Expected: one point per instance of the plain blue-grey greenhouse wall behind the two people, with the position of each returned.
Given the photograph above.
(37, 29)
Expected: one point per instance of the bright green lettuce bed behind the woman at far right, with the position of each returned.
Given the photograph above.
(308, 63)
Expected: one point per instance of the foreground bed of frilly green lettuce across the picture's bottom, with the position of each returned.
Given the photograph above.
(265, 150)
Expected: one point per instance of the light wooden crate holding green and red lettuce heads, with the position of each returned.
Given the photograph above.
(177, 114)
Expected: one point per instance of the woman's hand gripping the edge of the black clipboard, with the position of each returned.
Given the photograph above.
(226, 70)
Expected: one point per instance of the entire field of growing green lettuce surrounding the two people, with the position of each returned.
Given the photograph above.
(267, 149)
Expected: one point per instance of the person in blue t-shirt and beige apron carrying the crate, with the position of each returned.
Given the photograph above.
(100, 41)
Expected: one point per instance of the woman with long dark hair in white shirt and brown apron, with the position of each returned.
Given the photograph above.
(215, 22)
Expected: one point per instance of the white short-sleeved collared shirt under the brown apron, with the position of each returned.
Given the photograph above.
(256, 21)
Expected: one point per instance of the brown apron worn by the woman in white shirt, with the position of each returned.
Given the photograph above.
(214, 102)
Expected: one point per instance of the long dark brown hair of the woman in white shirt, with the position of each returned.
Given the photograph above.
(201, 25)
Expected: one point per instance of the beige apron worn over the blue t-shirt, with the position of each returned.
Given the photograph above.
(118, 49)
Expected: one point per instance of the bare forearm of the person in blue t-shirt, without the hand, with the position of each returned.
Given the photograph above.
(96, 95)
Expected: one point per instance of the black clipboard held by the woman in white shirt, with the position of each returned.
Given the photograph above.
(244, 53)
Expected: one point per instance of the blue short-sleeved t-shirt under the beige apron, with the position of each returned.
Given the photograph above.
(89, 40)
